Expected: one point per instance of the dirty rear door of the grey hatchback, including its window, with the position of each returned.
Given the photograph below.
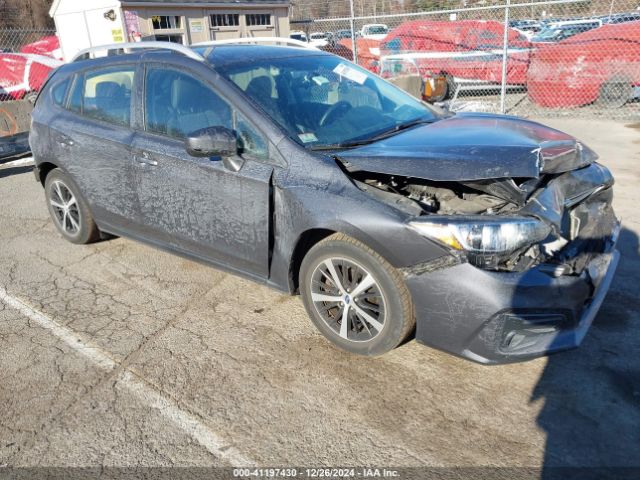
(93, 139)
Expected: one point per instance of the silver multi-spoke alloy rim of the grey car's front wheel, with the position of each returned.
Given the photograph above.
(348, 299)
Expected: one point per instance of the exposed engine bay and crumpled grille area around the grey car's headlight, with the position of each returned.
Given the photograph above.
(576, 205)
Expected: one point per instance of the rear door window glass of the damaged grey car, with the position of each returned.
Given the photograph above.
(104, 94)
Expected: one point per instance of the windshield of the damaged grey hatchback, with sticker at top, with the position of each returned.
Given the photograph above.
(324, 100)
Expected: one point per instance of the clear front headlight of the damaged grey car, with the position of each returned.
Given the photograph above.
(481, 236)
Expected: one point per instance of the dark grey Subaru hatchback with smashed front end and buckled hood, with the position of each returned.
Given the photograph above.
(492, 236)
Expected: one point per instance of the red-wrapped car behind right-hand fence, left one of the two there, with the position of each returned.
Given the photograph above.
(466, 52)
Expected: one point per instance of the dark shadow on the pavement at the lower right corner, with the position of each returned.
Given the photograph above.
(591, 396)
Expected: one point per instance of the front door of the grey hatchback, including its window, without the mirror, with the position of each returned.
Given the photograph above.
(197, 205)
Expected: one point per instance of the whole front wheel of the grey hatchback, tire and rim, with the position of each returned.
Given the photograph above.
(357, 299)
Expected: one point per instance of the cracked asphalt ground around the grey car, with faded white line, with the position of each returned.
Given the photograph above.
(118, 355)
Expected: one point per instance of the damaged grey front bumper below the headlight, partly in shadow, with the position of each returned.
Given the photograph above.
(499, 317)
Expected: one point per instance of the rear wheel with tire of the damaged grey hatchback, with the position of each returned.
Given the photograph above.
(68, 209)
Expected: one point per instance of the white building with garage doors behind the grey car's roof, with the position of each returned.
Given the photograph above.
(85, 23)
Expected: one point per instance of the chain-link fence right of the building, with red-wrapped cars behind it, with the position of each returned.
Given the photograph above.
(543, 58)
